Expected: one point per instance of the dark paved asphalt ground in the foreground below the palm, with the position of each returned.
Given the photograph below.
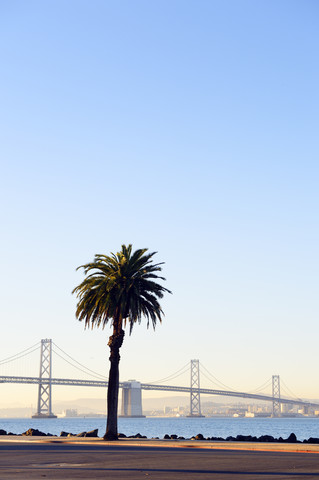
(32, 460)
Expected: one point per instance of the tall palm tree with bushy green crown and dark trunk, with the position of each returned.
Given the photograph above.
(119, 289)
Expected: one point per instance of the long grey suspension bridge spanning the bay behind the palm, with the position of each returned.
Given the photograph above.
(132, 389)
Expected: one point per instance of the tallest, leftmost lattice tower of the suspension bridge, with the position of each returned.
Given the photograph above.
(44, 409)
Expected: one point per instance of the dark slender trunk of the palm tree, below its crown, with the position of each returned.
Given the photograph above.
(115, 343)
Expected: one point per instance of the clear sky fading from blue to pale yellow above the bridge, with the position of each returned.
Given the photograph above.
(190, 128)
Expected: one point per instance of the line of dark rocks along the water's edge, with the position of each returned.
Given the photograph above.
(33, 432)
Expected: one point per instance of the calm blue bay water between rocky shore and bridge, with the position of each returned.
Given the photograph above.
(186, 427)
